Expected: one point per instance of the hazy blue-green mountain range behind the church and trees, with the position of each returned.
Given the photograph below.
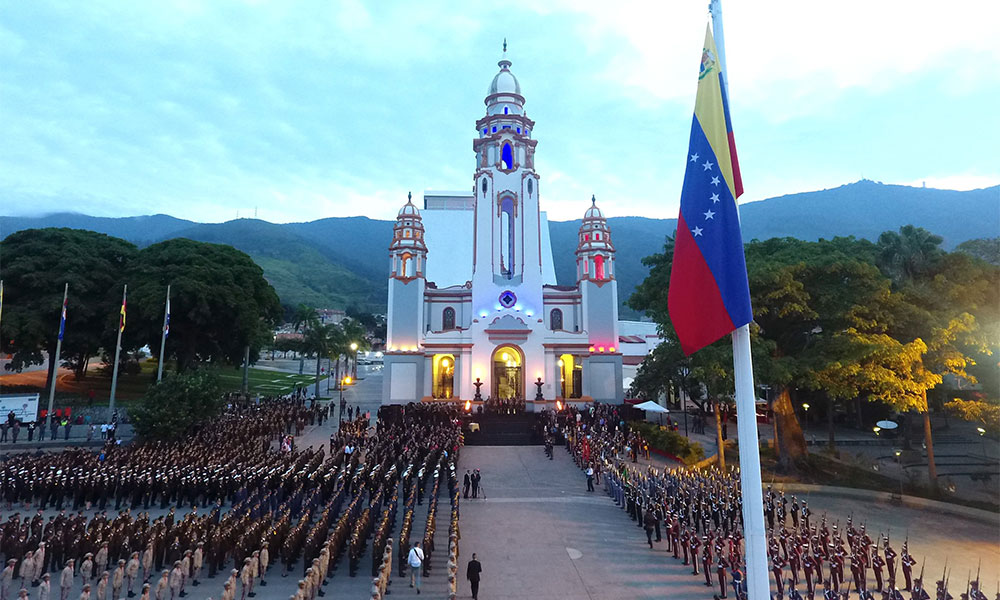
(341, 262)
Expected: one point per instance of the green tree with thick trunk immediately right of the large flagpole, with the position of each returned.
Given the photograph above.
(804, 295)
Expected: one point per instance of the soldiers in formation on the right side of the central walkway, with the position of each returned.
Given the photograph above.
(703, 517)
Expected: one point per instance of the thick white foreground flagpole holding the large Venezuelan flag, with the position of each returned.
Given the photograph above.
(758, 585)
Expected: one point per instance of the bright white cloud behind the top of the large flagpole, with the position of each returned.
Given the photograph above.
(807, 51)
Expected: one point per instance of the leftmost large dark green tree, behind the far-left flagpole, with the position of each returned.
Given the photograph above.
(36, 265)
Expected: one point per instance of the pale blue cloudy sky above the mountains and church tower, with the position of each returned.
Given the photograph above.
(304, 110)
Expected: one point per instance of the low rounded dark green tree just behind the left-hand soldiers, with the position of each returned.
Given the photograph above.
(173, 407)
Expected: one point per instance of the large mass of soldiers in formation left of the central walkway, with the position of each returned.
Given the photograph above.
(258, 499)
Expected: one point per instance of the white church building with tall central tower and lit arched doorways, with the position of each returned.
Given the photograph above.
(473, 301)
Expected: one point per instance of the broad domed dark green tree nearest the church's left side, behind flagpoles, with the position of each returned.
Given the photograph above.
(220, 302)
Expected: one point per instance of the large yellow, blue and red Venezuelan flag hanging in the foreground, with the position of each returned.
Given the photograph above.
(709, 295)
